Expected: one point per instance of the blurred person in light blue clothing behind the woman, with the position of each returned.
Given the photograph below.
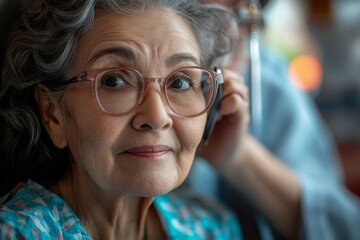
(287, 181)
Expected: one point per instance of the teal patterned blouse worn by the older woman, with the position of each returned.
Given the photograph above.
(34, 212)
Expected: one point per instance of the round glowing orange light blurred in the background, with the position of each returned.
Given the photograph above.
(305, 72)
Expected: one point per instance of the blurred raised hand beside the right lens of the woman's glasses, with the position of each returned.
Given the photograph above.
(227, 139)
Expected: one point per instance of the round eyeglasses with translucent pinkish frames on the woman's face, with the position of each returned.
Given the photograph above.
(189, 91)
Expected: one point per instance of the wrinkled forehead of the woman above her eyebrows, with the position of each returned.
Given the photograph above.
(152, 33)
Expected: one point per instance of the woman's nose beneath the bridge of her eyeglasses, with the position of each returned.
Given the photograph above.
(153, 112)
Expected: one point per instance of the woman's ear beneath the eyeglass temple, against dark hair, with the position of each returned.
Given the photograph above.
(51, 115)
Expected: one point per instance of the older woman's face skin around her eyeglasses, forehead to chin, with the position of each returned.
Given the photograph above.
(150, 150)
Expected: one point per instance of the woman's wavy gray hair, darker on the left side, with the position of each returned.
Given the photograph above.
(41, 47)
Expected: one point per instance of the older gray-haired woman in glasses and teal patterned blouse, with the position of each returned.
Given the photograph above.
(103, 105)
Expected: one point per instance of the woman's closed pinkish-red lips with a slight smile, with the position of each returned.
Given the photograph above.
(149, 151)
